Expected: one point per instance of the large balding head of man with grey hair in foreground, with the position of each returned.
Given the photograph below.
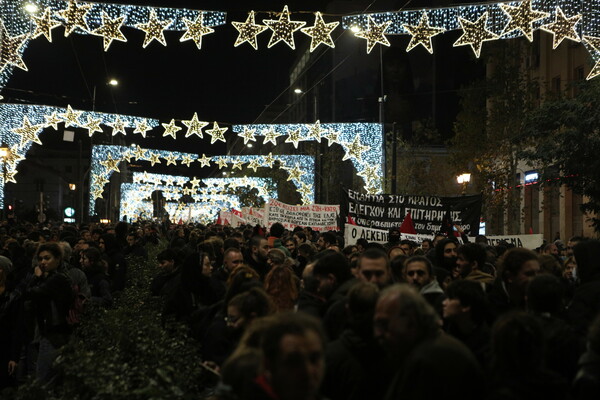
(402, 320)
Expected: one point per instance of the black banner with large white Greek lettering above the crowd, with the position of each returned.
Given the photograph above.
(385, 211)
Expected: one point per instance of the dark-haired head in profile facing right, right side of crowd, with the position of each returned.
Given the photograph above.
(517, 268)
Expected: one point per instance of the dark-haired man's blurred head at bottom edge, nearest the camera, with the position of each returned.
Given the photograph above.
(293, 356)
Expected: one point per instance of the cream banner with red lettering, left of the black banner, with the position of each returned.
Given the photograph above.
(320, 217)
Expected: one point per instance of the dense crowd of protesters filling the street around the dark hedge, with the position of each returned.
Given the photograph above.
(299, 315)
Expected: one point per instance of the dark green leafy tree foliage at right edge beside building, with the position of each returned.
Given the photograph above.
(568, 144)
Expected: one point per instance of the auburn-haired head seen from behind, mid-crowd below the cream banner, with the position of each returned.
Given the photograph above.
(281, 285)
